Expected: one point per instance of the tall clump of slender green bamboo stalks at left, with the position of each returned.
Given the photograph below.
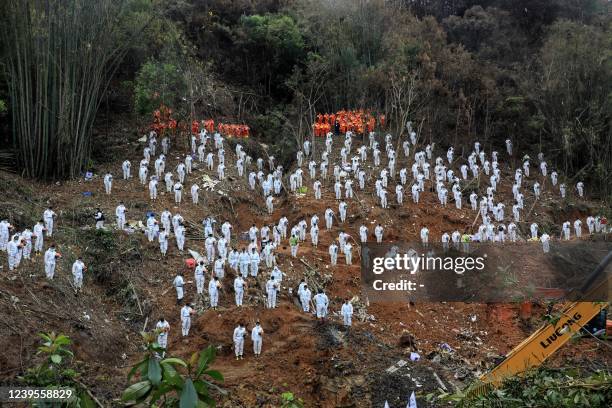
(59, 56)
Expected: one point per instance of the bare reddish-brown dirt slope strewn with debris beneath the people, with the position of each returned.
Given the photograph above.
(129, 287)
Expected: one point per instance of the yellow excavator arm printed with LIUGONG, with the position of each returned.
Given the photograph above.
(550, 337)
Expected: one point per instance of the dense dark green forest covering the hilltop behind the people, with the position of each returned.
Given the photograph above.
(536, 71)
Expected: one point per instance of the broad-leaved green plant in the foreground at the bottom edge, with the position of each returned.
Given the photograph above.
(162, 382)
